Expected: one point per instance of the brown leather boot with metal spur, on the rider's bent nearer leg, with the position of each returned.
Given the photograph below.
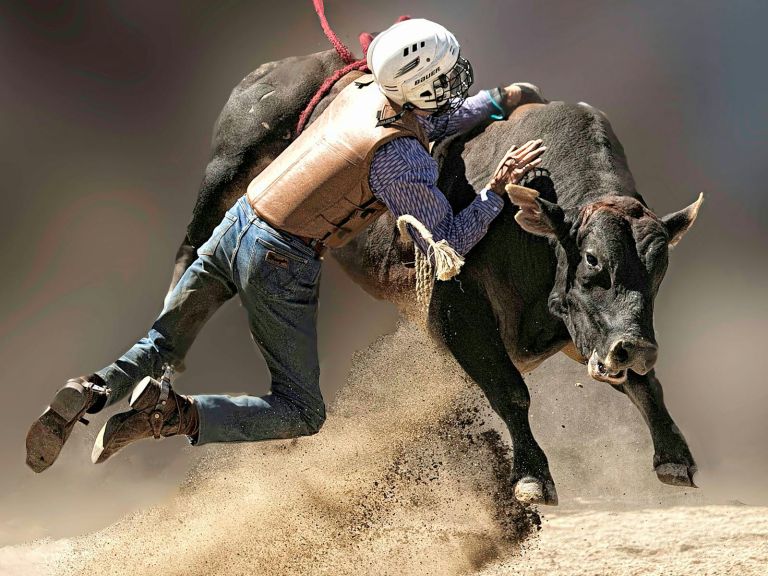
(156, 411)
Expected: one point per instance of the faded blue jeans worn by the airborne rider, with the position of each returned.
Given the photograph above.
(276, 276)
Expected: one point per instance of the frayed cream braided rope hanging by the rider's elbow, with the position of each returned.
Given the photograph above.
(447, 262)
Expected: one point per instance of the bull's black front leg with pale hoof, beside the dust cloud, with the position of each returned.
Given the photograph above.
(462, 316)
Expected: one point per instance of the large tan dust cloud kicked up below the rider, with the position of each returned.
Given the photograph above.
(408, 476)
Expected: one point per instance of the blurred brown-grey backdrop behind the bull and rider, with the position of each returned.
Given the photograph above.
(106, 111)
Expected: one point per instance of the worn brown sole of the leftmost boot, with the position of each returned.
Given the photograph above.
(47, 435)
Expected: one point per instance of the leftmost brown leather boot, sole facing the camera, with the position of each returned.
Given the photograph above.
(51, 430)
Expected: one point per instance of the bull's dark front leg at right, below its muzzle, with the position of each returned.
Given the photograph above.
(672, 458)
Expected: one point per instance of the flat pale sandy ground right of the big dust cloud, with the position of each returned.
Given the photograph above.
(683, 540)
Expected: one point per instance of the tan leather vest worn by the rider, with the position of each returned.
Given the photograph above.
(318, 186)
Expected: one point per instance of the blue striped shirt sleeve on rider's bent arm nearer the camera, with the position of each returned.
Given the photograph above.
(404, 176)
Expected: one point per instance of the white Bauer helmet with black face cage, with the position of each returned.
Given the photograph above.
(418, 63)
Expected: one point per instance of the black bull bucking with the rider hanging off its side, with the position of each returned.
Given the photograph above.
(574, 269)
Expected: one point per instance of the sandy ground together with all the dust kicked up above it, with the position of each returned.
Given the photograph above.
(408, 478)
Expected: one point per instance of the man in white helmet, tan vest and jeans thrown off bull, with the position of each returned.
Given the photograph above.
(368, 152)
